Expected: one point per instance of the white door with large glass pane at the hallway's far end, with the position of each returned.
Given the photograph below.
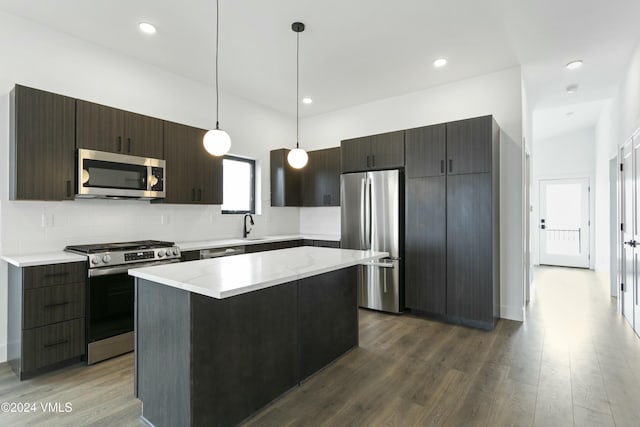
(564, 222)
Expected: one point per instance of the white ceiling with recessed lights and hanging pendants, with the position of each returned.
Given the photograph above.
(358, 51)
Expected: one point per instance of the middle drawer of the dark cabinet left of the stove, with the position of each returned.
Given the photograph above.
(52, 304)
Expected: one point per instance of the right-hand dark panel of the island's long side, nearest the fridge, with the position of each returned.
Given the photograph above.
(328, 318)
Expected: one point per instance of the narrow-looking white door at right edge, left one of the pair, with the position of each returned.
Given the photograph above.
(627, 217)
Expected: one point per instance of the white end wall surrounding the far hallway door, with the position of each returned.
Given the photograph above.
(570, 155)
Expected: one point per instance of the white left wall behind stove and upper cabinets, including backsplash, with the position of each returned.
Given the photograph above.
(38, 57)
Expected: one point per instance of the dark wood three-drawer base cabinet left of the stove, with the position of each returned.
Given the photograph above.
(46, 324)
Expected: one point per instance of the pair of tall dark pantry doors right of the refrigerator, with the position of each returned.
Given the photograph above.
(452, 255)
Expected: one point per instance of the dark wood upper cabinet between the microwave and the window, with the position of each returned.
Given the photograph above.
(194, 176)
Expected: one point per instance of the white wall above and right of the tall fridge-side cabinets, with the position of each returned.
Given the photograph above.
(498, 94)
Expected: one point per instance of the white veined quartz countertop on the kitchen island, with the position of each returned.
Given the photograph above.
(236, 275)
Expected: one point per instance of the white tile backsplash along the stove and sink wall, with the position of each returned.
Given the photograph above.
(95, 221)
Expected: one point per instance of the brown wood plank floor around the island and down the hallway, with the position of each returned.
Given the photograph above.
(573, 362)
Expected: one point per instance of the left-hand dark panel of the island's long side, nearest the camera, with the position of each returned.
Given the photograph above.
(244, 353)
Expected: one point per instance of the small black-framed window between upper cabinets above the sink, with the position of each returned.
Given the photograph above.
(239, 185)
